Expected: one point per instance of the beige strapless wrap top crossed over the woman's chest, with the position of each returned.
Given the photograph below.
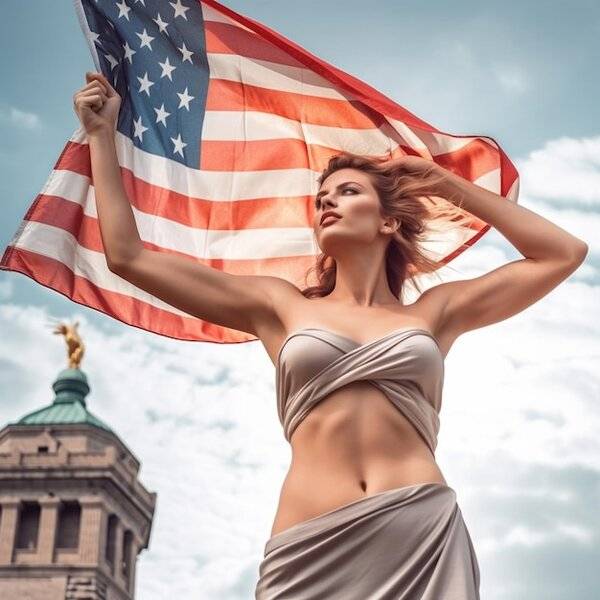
(406, 365)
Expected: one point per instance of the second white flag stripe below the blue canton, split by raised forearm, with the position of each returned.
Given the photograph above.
(203, 243)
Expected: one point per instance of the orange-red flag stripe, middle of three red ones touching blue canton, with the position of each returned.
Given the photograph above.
(233, 95)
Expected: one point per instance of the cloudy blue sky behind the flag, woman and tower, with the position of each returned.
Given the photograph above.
(521, 407)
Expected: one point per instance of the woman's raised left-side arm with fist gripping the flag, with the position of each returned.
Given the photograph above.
(236, 301)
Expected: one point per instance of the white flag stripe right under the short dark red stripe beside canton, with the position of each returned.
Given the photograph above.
(273, 76)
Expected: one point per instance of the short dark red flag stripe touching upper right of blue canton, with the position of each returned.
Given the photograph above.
(223, 38)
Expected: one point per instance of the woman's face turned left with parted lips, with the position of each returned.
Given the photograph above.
(350, 194)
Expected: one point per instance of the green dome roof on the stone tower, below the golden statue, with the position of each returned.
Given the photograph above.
(71, 387)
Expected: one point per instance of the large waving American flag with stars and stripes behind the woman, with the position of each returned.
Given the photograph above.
(224, 127)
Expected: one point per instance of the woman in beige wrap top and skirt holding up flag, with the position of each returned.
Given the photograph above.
(364, 511)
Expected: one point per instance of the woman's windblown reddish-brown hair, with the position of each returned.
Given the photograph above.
(404, 196)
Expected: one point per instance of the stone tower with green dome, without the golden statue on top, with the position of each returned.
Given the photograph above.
(73, 515)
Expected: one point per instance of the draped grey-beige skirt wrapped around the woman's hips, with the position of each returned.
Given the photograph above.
(407, 543)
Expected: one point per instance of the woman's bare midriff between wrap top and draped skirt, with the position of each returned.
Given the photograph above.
(353, 444)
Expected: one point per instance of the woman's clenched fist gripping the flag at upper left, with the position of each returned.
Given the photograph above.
(97, 104)
